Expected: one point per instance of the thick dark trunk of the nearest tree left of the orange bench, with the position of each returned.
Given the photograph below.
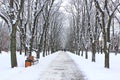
(13, 37)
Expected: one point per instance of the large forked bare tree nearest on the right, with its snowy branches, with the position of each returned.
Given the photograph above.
(106, 18)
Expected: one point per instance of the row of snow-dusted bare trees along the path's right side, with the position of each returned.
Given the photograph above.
(91, 20)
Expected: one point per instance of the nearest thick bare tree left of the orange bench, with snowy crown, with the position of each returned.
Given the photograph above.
(11, 15)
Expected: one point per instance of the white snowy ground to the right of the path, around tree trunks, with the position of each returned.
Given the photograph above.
(96, 70)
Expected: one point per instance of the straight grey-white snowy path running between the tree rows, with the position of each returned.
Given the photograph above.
(62, 68)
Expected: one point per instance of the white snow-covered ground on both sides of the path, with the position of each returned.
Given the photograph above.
(93, 71)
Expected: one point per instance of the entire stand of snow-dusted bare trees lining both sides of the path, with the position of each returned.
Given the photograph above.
(37, 25)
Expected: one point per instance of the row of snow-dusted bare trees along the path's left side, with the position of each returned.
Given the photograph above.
(34, 25)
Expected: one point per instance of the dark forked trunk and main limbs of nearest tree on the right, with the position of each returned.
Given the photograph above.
(106, 31)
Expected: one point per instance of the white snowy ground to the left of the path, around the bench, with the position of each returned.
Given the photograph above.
(20, 72)
